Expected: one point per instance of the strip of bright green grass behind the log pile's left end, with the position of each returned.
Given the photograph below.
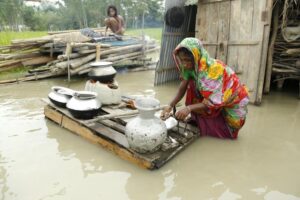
(6, 37)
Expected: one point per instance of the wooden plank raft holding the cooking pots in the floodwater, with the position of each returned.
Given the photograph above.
(109, 132)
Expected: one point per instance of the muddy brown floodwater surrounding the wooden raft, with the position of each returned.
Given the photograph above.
(41, 161)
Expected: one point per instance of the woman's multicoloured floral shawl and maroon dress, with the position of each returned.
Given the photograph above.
(214, 84)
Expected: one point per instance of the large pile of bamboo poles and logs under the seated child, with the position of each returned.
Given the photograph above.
(68, 53)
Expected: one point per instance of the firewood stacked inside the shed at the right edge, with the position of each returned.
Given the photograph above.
(286, 40)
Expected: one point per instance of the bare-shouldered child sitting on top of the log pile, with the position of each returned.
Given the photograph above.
(114, 21)
